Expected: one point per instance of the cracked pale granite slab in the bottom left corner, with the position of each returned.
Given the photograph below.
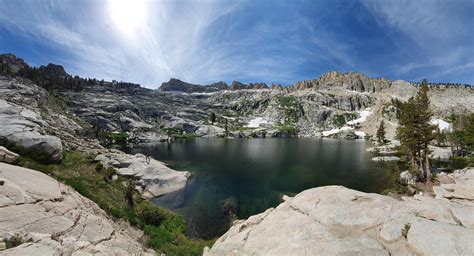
(52, 219)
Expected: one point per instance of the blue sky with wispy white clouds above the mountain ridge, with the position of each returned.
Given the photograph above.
(274, 41)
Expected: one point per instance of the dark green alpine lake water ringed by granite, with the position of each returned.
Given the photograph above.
(236, 178)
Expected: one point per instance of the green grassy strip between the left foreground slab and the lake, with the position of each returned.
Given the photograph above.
(165, 229)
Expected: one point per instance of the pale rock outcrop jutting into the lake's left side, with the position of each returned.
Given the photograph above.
(155, 178)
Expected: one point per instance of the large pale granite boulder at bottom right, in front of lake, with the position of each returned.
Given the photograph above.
(334, 220)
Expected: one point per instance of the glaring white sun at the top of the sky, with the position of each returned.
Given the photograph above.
(129, 16)
